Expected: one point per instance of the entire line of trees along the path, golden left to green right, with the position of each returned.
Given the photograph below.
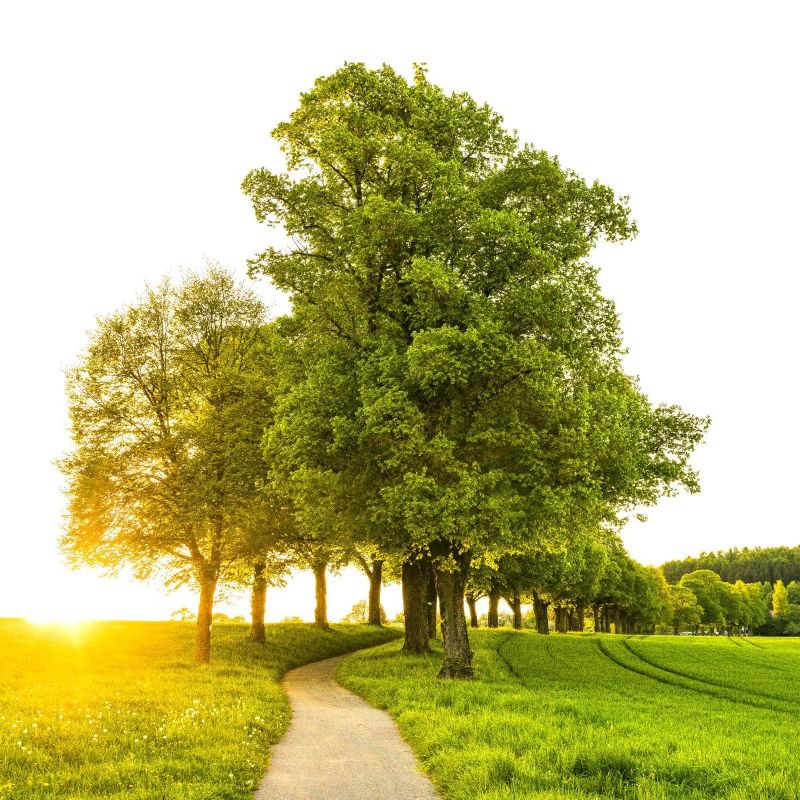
(445, 404)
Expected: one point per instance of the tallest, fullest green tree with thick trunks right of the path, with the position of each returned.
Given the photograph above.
(439, 280)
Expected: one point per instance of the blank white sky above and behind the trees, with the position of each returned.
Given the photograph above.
(126, 129)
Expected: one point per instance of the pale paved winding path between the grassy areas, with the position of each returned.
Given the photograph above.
(338, 747)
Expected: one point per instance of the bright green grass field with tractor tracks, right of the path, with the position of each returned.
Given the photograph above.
(577, 716)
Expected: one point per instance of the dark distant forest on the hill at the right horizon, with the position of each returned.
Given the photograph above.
(751, 565)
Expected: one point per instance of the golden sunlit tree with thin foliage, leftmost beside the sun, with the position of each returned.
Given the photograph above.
(167, 459)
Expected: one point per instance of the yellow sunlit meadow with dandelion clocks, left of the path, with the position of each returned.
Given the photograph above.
(118, 709)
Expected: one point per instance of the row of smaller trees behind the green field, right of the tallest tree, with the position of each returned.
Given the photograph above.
(618, 595)
